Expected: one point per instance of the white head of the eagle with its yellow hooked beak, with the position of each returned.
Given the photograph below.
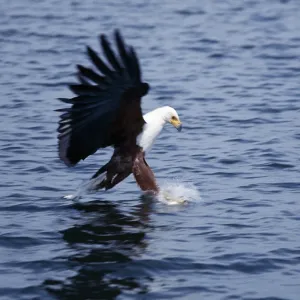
(165, 114)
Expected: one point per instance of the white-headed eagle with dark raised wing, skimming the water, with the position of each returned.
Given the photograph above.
(106, 111)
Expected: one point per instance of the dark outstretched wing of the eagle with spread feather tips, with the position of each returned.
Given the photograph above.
(107, 107)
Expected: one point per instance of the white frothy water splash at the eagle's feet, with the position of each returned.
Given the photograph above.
(176, 192)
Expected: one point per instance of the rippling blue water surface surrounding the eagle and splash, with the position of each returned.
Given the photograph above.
(232, 71)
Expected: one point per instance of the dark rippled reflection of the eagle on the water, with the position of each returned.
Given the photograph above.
(104, 242)
